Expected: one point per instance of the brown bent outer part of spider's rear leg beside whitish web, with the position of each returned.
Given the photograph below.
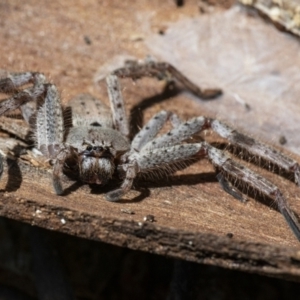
(163, 70)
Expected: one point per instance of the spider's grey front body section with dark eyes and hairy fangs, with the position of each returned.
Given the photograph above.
(94, 151)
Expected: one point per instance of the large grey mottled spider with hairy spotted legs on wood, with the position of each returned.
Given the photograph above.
(97, 145)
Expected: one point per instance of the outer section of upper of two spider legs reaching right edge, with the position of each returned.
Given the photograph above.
(256, 148)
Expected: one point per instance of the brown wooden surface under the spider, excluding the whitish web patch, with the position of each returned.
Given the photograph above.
(194, 219)
